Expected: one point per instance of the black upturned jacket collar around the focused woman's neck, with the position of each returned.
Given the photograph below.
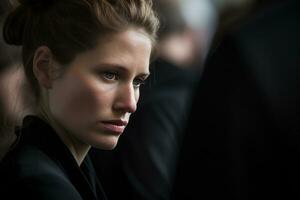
(37, 132)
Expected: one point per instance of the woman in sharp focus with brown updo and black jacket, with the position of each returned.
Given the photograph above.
(85, 60)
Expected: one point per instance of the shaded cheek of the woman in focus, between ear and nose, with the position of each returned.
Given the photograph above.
(78, 100)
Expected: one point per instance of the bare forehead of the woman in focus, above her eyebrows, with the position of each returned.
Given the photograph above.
(131, 48)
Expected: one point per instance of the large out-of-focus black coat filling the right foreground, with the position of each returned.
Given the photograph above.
(243, 137)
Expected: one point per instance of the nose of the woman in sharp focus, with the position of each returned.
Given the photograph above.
(126, 100)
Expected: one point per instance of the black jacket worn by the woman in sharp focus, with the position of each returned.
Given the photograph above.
(42, 167)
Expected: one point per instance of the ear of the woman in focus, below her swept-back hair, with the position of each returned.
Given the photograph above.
(43, 66)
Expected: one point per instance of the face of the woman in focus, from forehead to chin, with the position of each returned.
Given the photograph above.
(99, 89)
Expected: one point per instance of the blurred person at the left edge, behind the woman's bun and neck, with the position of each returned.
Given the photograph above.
(14, 99)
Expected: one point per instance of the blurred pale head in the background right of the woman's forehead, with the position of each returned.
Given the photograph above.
(177, 42)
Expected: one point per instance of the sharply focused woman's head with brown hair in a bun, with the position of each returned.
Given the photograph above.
(85, 60)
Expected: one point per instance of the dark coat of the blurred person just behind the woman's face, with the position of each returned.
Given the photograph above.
(147, 151)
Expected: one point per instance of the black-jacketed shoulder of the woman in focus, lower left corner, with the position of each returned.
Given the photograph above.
(28, 172)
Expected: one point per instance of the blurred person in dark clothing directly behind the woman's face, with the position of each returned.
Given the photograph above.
(146, 156)
